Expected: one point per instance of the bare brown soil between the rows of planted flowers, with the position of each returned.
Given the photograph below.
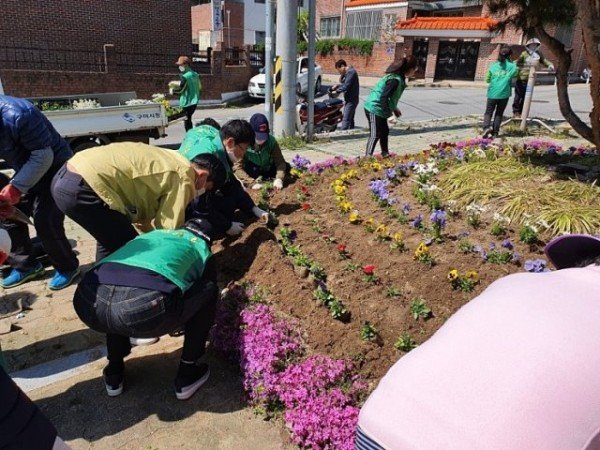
(257, 257)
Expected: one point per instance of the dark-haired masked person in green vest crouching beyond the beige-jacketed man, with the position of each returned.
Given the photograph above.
(229, 144)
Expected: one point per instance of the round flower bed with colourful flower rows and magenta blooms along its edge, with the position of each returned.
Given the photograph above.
(389, 242)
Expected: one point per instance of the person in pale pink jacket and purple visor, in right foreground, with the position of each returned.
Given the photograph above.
(516, 368)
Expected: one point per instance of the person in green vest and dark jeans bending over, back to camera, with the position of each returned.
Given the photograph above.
(154, 285)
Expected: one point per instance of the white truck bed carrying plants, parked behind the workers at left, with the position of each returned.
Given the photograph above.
(113, 121)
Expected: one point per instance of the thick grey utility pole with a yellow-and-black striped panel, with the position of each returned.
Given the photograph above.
(285, 112)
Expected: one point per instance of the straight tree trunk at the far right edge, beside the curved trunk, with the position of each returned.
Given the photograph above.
(589, 14)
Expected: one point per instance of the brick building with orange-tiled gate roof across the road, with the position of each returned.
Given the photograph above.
(451, 38)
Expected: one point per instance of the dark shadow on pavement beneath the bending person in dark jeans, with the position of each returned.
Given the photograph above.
(84, 411)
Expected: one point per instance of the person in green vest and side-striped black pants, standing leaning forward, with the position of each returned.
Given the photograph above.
(383, 102)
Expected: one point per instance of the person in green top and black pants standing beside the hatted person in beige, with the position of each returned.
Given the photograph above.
(499, 77)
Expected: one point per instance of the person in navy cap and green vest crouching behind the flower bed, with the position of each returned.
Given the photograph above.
(264, 161)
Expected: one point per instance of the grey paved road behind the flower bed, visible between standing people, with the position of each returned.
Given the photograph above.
(418, 104)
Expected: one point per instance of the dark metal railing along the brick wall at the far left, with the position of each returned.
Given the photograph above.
(31, 58)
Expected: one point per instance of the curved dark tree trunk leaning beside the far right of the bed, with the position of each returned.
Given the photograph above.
(562, 83)
